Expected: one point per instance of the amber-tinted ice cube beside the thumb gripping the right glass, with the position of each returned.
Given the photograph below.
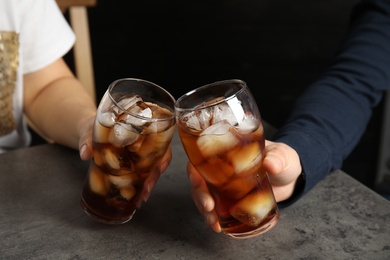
(246, 158)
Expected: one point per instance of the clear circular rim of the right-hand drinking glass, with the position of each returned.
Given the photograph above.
(199, 106)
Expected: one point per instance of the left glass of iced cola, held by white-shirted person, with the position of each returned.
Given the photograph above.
(133, 128)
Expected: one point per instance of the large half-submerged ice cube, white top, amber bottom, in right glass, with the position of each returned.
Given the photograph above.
(216, 139)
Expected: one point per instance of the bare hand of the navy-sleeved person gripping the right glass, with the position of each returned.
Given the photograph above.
(280, 161)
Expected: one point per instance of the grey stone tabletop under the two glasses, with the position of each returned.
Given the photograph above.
(41, 218)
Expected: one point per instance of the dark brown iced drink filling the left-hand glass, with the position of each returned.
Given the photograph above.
(114, 186)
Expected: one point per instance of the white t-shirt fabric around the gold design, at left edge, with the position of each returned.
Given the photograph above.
(44, 36)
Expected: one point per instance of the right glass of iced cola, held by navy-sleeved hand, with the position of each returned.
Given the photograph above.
(221, 131)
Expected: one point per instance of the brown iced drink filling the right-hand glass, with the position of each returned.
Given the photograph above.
(244, 200)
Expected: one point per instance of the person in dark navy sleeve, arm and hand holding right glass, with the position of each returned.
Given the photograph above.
(330, 117)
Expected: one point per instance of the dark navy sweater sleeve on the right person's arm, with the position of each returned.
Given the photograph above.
(330, 117)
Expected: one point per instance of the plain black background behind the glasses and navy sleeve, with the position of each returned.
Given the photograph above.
(277, 47)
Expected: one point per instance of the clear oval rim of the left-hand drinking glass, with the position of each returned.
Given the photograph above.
(115, 82)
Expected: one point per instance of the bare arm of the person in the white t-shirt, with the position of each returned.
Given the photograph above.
(57, 103)
